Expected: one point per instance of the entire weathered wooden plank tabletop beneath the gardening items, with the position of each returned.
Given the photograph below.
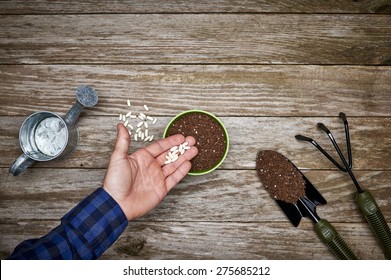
(268, 70)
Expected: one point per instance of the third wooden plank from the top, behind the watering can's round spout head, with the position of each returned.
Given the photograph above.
(234, 90)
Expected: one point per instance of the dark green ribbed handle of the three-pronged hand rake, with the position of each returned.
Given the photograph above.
(375, 218)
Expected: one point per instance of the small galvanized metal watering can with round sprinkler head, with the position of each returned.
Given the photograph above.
(45, 136)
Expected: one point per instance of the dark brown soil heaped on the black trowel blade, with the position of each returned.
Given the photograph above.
(280, 177)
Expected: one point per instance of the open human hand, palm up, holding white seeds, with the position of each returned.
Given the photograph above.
(139, 182)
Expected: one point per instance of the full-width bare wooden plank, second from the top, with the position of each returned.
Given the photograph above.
(196, 38)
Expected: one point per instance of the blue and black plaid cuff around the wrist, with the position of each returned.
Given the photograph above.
(95, 224)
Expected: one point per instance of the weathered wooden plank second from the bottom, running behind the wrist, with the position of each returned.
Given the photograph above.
(224, 195)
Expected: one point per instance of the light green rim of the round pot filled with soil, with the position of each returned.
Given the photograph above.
(177, 117)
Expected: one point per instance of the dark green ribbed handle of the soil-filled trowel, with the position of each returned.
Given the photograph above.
(328, 234)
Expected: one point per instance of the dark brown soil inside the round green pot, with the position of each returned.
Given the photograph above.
(209, 135)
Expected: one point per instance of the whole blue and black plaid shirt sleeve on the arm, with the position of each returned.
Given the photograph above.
(85, 232)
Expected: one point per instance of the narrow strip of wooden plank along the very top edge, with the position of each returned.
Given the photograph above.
(200, 6)
